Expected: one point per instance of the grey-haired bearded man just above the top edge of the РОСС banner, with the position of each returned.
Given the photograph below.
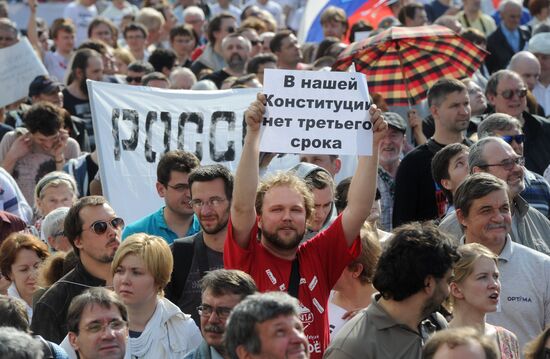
(235, 51)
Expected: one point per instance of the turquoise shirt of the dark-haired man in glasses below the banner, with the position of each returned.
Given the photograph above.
(155, 224)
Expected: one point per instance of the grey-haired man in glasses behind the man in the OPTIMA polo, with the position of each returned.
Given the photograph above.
(494, 156)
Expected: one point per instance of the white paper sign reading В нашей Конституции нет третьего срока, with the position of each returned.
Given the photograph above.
(317, 113)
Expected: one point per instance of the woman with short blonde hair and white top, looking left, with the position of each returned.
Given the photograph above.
(158, 329)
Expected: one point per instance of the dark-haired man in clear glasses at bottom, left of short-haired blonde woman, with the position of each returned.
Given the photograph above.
(97, 322)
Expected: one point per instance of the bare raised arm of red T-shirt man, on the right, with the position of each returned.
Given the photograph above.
(362, 189)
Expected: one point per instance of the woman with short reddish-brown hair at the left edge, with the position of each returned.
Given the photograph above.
(21, 256)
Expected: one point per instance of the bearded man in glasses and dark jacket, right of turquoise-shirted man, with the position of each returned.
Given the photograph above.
(211, 192)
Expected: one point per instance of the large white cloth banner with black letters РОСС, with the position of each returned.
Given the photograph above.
(135, 125)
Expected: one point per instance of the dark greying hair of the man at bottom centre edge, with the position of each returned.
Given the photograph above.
(256, 309)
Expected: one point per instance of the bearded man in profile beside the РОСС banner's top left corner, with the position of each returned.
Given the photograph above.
(86, 64)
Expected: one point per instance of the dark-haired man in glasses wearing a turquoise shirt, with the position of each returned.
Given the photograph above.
(175, 219)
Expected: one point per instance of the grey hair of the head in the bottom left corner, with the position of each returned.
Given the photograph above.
(15, 344)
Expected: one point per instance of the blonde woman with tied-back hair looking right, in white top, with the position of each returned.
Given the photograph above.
(475, 291)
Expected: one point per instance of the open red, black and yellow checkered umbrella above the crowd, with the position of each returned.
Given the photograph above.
(402, 63)
